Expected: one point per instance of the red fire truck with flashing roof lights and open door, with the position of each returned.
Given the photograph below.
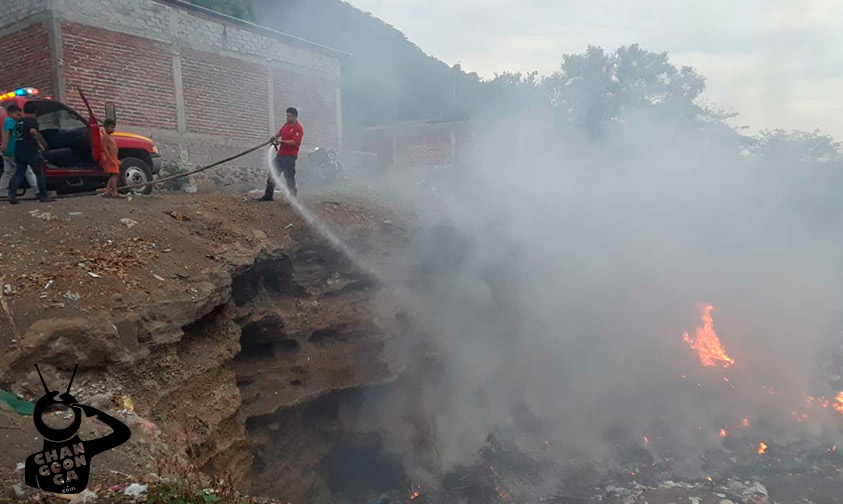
(70, 162)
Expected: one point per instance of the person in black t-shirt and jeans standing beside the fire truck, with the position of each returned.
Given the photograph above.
(30, 145)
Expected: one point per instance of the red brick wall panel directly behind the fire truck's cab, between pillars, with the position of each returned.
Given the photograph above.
(134, 72)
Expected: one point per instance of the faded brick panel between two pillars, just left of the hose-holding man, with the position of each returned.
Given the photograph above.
(225, 96)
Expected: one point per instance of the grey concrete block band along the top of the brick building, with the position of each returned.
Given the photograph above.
(184, 25)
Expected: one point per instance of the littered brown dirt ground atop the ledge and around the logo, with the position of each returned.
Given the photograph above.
(99, 258)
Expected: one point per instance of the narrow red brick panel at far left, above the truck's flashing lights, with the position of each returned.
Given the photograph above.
(26, 59)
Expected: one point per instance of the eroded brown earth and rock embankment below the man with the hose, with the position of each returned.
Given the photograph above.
(215, 327)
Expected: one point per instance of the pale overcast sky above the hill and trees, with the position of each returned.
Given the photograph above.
(777, 62)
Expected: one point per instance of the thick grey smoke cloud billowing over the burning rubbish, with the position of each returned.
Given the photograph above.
(558, 274)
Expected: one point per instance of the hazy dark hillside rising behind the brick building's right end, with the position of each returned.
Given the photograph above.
(387, 78)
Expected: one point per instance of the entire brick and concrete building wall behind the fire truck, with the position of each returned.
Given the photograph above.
(203, 86)
